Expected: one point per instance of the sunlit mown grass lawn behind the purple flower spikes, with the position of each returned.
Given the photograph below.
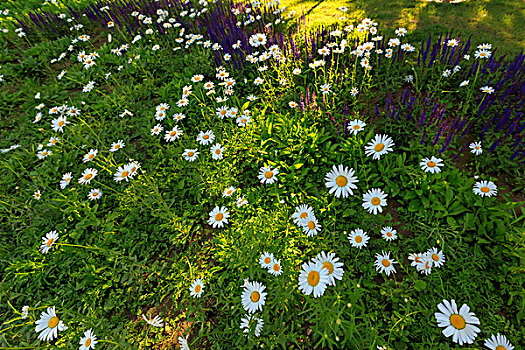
(499, 22)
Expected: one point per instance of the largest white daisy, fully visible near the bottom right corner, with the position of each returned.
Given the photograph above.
(458, 324)
